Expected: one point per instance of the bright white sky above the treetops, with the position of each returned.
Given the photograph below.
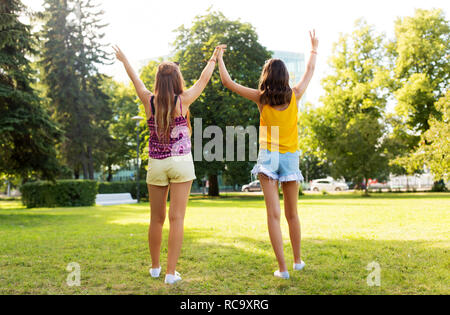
(144, 28)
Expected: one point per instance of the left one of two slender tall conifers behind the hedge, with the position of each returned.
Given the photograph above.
(58, 74)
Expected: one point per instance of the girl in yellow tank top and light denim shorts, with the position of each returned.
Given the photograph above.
(278, 159)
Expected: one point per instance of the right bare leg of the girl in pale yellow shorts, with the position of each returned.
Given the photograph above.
(179, 195)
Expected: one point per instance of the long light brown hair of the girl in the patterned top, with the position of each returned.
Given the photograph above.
(169, 82)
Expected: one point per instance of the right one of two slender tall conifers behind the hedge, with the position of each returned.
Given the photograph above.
(90, 52)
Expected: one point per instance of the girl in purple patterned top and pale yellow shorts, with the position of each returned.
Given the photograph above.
(170, 163)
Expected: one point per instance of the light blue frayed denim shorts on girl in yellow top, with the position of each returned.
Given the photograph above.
(283, 167)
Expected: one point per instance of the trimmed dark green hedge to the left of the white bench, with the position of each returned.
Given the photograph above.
(64, 193)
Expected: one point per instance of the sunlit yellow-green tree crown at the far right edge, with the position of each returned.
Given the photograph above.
(420, 53)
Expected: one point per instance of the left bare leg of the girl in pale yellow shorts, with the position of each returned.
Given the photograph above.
(158, 200)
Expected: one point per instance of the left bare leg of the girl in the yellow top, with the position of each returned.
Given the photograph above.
(271, 197)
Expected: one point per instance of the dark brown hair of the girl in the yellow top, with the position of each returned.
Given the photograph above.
(274, 83)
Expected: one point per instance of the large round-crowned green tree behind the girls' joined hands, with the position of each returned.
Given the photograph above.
(217, 106)
